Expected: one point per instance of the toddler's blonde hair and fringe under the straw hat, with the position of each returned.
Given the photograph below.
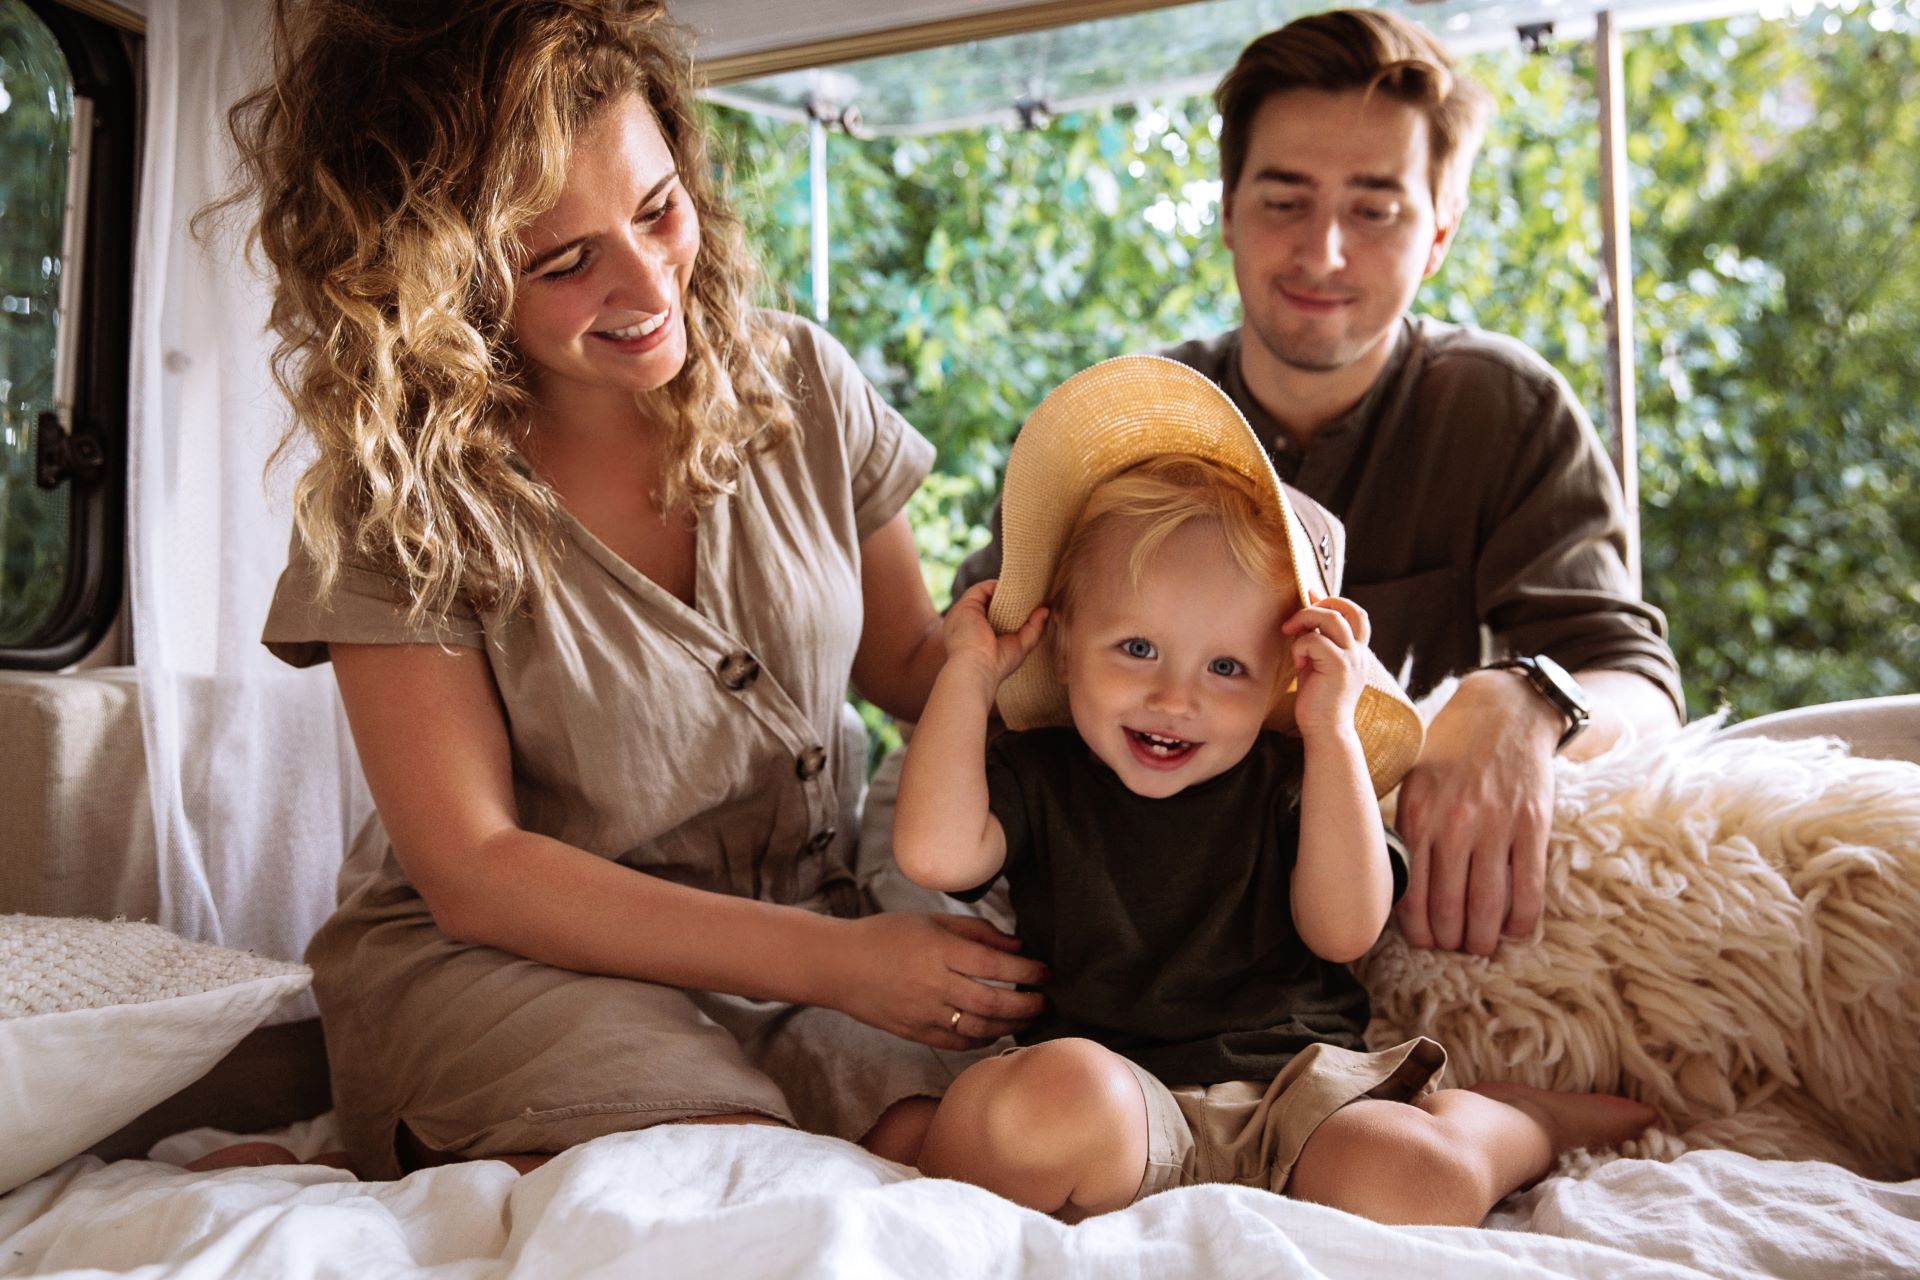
(1155, 500)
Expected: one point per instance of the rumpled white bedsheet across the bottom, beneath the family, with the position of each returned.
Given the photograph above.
(761, 1202)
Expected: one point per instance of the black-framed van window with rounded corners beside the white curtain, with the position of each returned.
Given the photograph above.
(66, 133)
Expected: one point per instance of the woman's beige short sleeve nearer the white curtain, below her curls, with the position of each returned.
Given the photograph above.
(366, 607)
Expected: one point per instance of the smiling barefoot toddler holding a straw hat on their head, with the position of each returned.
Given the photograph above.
(1188, 820)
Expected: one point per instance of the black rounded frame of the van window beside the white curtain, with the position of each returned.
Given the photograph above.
(101, 60)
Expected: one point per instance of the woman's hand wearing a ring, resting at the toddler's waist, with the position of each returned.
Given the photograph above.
(909, 974)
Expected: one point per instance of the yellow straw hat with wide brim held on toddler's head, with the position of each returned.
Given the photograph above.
(1088, 431)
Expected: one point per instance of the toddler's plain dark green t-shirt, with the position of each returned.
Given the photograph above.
(1168, 924)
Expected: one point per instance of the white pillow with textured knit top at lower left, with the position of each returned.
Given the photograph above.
(103, 1020)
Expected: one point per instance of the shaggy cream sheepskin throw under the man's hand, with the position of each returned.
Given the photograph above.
(1731, 934)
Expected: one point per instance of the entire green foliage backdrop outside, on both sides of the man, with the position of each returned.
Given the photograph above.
(1777, 287)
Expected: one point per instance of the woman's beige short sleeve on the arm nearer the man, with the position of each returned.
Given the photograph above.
(886, 458)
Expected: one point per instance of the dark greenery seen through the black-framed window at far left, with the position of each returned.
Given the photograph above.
(36, 110)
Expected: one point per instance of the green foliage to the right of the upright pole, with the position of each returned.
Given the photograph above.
(1781, 283)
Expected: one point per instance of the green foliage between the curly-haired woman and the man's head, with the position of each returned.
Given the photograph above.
(974, 272)
